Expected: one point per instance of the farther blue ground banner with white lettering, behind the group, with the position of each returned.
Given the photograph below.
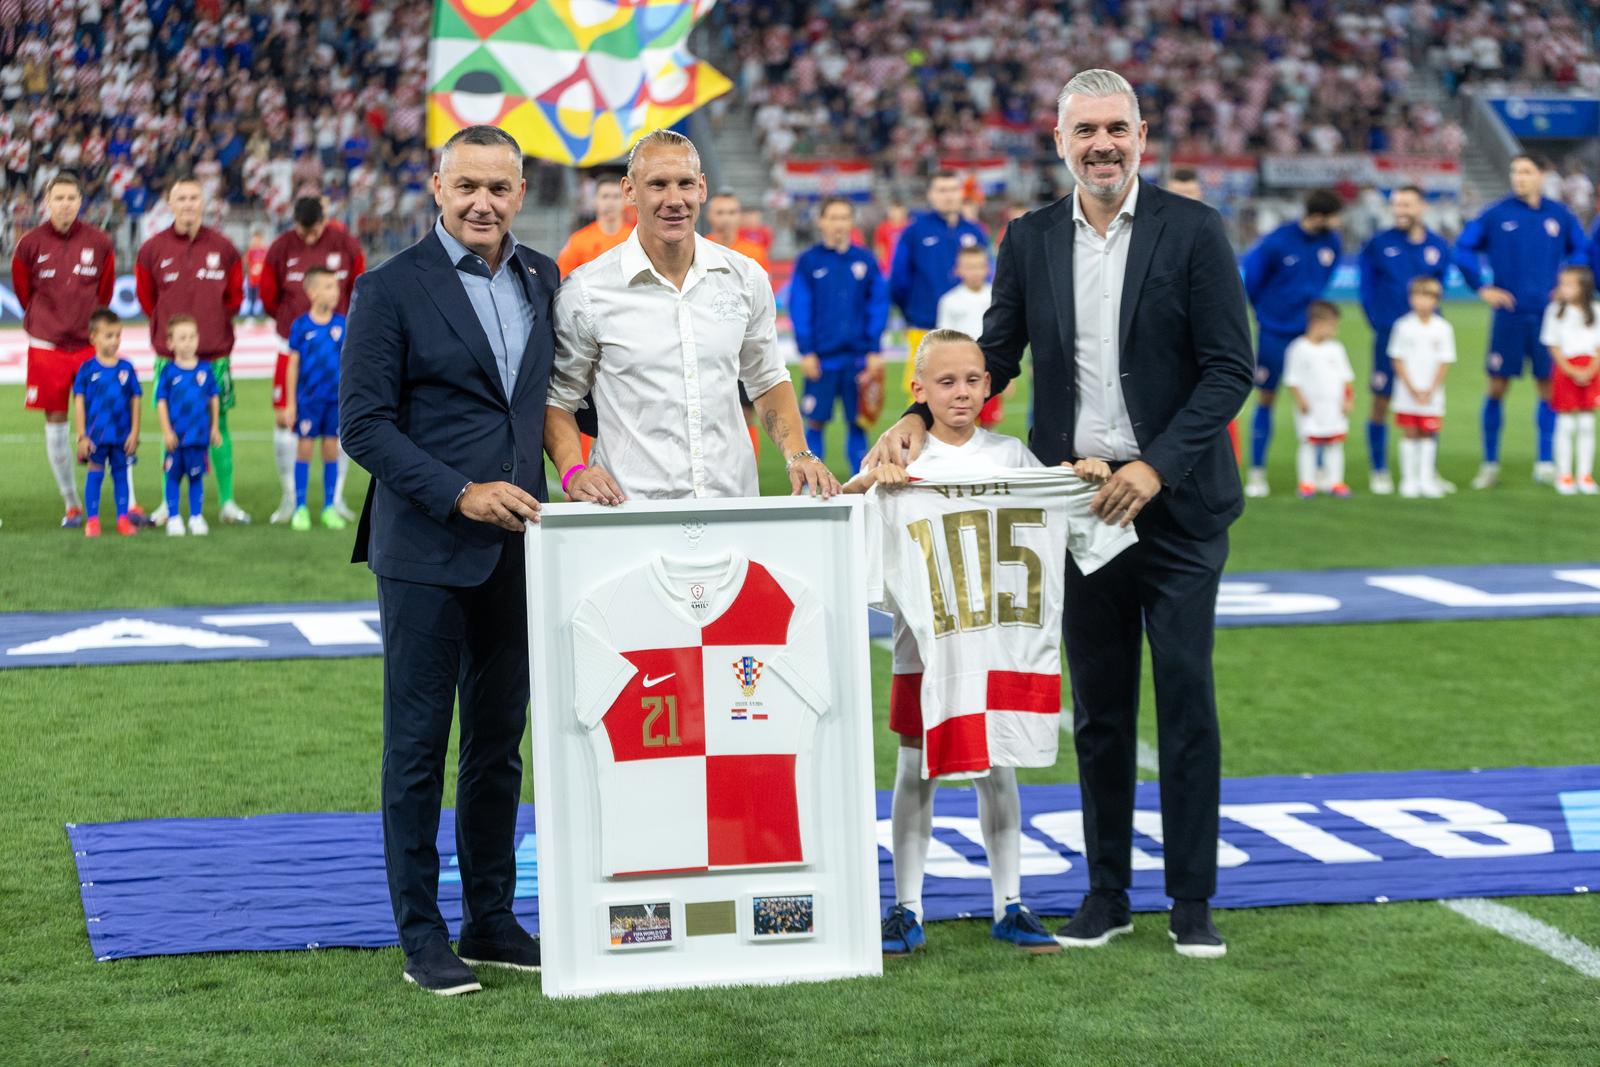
(303, 631)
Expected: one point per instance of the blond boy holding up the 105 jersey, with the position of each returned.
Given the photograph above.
(953, 382)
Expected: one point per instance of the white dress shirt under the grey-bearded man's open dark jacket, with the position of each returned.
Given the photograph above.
(1103, 430)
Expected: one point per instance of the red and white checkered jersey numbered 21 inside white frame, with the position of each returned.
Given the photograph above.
(700, 685)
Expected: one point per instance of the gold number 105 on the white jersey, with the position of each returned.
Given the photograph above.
(996, 529)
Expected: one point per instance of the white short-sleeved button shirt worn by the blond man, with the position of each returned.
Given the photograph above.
(665, 367)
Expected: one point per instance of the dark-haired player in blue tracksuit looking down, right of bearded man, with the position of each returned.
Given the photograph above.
(1284, 274)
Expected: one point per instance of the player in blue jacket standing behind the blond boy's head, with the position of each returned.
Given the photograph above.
(924, 266)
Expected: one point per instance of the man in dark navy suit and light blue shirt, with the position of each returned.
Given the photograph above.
(442, 399)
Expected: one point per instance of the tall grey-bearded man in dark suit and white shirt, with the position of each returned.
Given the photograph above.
(1132, 303)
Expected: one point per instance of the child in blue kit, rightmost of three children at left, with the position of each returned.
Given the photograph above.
(316, 342)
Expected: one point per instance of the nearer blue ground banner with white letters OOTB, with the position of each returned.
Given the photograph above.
(170, 887)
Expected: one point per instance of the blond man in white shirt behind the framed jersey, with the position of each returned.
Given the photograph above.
(662, 332)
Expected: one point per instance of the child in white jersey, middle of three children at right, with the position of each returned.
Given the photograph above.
(1422, 346)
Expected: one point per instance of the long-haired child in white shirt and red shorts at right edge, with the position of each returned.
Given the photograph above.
(1572, 334)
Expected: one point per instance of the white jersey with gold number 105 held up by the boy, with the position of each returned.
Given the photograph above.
(970, 557)
